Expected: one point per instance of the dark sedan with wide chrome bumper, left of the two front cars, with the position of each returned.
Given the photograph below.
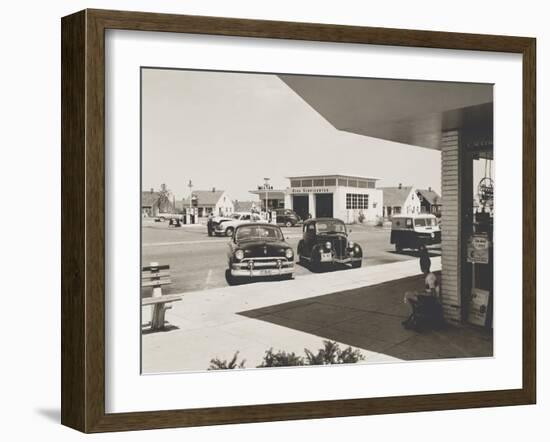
(259, 250)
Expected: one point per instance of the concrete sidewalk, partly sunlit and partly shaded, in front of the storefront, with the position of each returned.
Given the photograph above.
(361, 307)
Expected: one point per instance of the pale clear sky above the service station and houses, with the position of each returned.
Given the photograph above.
(230, 130)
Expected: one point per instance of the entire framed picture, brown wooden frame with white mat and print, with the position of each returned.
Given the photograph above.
(270, 220)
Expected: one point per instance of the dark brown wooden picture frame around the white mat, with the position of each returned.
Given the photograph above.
(83, 220)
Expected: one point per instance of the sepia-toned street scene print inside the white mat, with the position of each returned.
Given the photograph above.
(300, 220)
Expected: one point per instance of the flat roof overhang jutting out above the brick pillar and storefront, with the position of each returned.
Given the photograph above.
(406, 111)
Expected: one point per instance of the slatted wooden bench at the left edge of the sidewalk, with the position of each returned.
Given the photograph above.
(155, 276)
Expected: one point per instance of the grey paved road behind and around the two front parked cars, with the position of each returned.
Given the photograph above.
(198, 262)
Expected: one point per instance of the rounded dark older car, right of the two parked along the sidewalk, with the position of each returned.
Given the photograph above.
(325, 241)
